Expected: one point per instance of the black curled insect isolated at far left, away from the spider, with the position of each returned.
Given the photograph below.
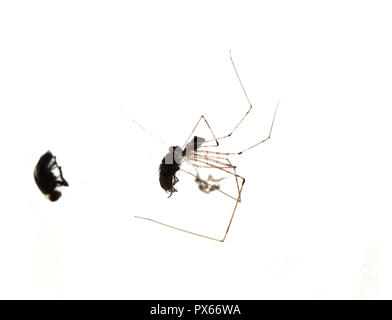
(46, 180)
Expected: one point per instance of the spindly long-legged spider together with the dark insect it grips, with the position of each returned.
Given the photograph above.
(197, 151)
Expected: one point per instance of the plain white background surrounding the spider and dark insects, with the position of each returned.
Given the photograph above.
(316, 215)
